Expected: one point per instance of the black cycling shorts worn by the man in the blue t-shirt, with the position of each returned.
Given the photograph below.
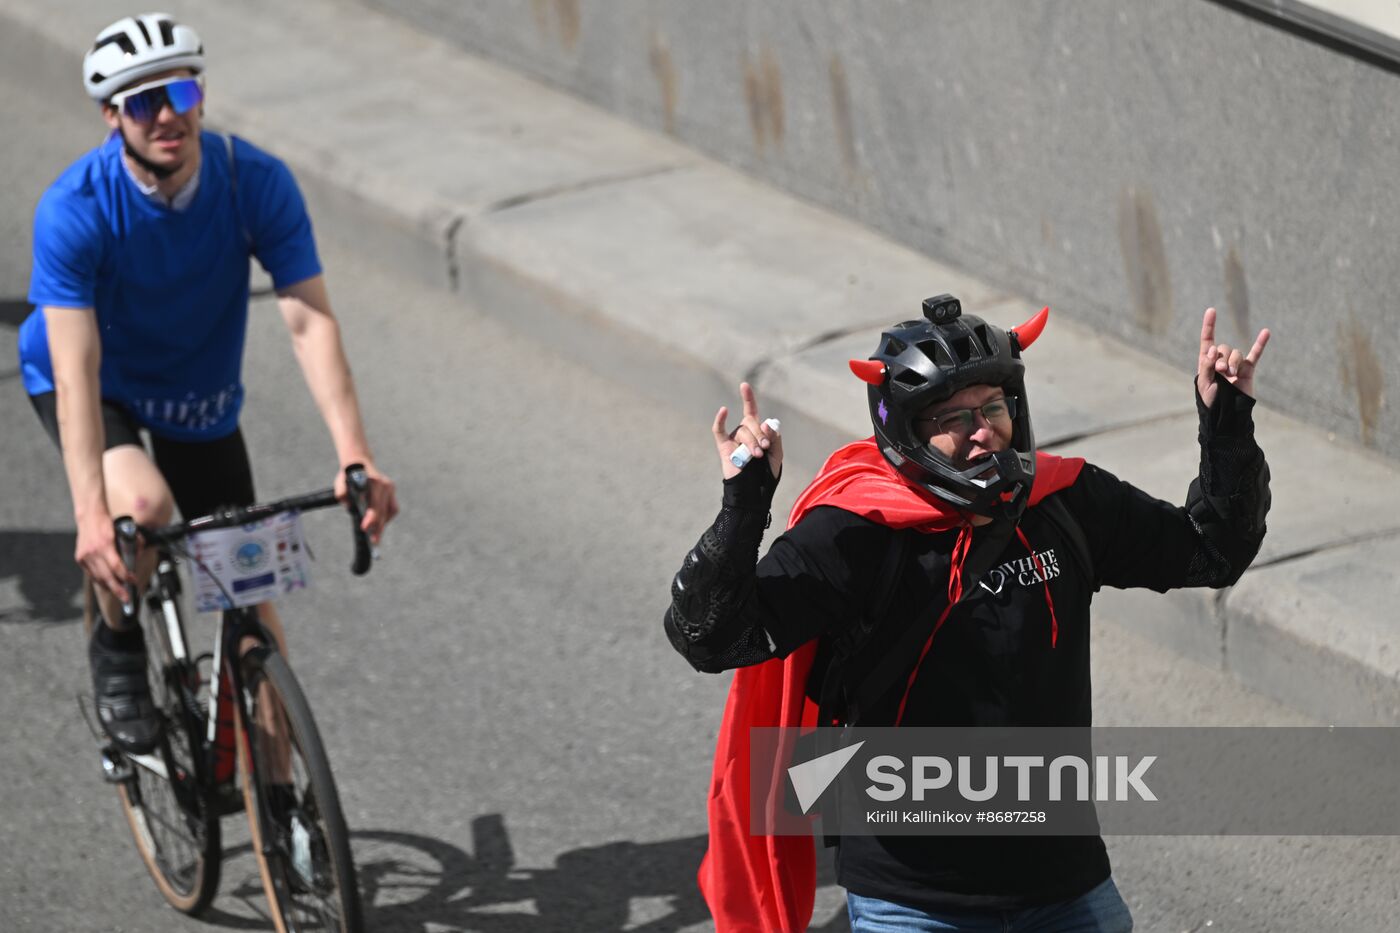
(204, 476)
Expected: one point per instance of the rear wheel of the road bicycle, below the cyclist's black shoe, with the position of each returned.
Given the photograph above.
(176, 833)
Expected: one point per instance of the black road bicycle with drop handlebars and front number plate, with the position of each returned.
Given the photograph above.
(236, 718)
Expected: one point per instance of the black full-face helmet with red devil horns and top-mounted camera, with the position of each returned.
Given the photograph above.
(920, 364)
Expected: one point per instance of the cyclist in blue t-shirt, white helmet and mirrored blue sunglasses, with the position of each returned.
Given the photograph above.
(141, 282)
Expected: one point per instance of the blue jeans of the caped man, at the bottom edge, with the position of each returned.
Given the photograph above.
(1100, 911)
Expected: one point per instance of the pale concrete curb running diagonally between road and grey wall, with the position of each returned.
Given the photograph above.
(677, 275)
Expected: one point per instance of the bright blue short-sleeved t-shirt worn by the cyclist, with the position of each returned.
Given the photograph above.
(170, 288)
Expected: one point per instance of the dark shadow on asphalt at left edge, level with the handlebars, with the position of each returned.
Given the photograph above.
(50, 582)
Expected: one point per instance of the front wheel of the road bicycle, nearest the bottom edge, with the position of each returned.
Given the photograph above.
(307, 868)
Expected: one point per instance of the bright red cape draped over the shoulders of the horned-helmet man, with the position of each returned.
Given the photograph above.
(766, 885)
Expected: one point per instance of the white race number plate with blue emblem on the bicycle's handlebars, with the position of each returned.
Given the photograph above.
(251, 564)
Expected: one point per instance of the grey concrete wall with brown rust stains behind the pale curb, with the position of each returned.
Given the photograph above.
(1128, 162)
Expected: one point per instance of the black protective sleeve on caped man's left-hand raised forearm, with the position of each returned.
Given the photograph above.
(706, 621)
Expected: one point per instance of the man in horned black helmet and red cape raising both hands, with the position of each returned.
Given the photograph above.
(953, 453)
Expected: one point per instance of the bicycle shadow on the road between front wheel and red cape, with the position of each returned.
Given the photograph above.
(412, 883)
